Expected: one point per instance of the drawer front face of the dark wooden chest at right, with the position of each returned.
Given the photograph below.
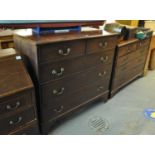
(129, 63)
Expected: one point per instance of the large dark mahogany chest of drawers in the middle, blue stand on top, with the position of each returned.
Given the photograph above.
(70, 71)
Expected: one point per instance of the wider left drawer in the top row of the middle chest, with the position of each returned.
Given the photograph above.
(59, 51)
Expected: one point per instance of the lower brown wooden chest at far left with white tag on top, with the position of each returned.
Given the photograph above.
(17, 100)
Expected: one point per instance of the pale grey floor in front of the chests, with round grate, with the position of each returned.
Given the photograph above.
(121, 115)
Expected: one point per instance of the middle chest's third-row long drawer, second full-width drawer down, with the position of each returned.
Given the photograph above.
(64, 88)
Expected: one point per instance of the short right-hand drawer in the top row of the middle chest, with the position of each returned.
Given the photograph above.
(101, 44)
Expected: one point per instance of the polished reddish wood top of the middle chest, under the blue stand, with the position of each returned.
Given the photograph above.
(52, 38)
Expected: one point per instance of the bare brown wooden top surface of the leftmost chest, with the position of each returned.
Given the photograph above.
(13, 75)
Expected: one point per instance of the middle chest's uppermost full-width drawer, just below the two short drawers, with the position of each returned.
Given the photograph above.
(53, 71)
